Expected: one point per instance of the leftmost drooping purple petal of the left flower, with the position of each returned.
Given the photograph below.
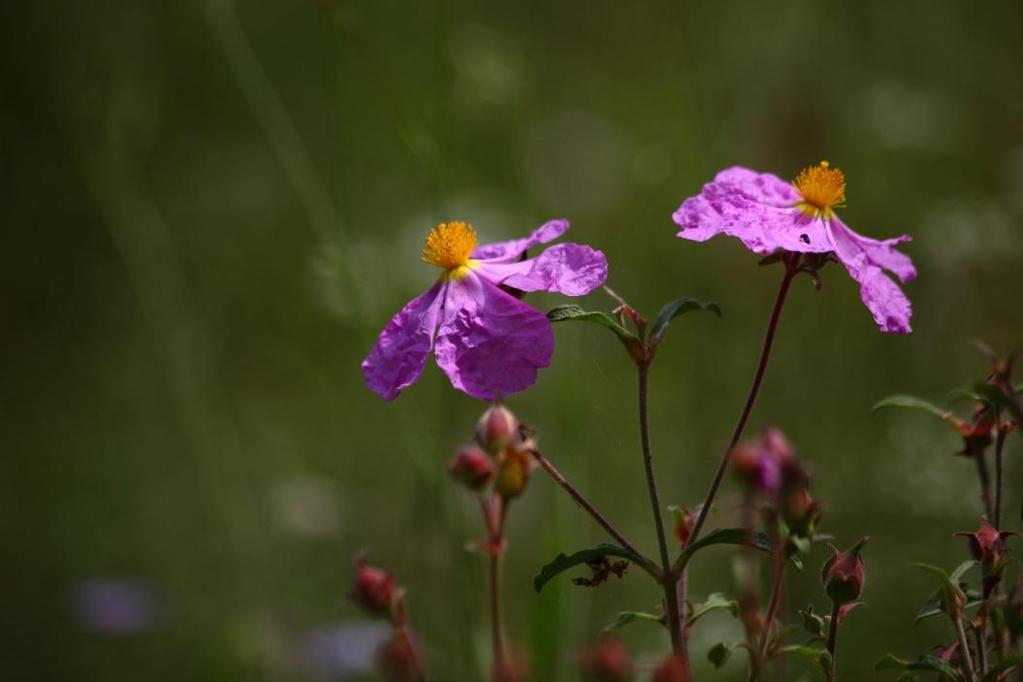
(401, 354)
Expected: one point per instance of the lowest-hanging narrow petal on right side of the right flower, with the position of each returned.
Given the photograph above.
(889, 306)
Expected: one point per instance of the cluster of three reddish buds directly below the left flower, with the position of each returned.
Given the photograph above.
(502, 456)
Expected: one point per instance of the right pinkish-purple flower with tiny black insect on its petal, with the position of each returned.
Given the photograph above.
(768, 214)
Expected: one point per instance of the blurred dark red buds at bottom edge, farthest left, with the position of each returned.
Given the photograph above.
(377, 594)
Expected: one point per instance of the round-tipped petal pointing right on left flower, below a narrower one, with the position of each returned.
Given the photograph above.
(569, 268)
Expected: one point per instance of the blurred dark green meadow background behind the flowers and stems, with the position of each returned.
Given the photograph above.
(211, 209)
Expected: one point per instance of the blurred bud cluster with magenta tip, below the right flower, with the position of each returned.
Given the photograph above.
(768, 469)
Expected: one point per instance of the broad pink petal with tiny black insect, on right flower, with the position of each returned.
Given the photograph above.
(759, 209)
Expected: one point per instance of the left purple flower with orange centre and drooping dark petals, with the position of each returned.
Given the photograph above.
(486, 341)
